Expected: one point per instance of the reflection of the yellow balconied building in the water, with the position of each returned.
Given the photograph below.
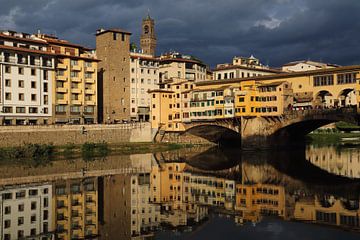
(75, 204)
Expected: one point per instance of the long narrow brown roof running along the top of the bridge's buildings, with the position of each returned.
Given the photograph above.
(283, 75)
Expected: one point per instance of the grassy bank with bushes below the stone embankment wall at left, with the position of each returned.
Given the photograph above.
(36, 154)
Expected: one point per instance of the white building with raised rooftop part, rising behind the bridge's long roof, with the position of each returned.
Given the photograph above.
(242, 67)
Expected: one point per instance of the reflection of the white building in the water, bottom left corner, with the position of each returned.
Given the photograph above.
(26, 211)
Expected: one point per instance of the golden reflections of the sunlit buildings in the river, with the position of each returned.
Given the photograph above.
(150, 195)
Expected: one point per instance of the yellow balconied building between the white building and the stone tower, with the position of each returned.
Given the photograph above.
(75, 86)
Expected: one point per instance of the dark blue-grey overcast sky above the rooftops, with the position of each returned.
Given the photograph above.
(276, 31)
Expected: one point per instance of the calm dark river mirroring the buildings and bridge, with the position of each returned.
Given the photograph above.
(312, 192)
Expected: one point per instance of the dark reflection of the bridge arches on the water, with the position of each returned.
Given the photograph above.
(290, 164)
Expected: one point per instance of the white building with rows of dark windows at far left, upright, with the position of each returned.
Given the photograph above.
(26, 77)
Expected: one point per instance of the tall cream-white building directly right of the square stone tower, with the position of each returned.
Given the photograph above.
(144, 76)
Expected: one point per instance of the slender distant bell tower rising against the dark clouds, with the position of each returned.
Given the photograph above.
(148, 38)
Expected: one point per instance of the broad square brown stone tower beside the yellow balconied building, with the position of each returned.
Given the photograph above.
(113, 51)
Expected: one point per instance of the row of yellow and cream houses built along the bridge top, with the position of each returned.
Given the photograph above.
(264, 96)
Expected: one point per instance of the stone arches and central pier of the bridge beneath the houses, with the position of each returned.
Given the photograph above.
(254, 132)
